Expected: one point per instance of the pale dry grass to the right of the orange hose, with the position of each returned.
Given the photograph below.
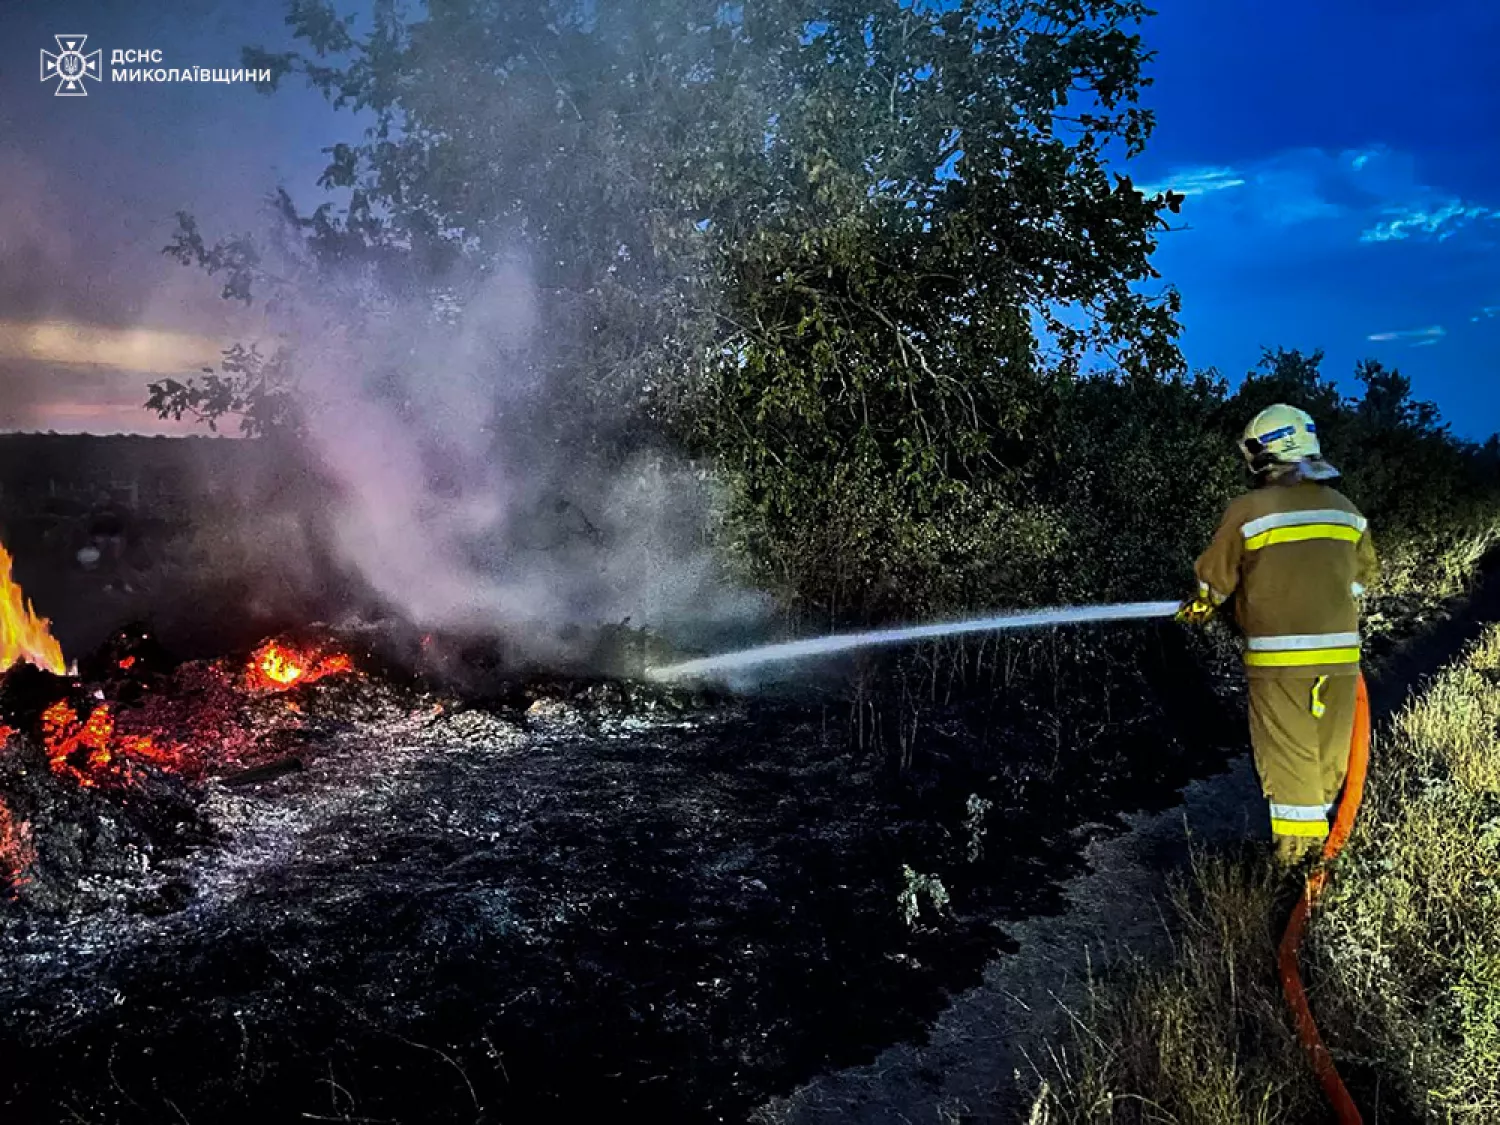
(1409, 941)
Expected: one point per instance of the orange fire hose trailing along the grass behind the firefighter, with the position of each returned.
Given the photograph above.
(1345, 1109)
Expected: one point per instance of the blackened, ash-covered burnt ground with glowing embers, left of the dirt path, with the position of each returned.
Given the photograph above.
(374, 899)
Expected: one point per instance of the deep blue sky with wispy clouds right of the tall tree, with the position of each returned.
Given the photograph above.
(1343, 187)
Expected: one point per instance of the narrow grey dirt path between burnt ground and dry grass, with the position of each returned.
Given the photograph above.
(980, 1057)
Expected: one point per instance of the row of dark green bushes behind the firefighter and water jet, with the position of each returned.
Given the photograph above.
(1111, 491)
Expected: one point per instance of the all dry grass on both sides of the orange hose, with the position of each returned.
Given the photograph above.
(1403, 958)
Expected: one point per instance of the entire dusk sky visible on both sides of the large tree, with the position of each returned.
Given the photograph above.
(1340, 164)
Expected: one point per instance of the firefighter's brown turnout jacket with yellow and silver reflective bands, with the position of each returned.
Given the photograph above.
(1295, 557)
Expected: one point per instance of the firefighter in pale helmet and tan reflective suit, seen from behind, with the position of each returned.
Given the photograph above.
(1297, 559)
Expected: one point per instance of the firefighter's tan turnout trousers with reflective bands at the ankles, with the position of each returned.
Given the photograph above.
(1301, 728)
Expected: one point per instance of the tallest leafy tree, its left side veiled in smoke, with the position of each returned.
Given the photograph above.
(842, 248)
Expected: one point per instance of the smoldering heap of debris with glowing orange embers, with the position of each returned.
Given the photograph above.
(110, 781)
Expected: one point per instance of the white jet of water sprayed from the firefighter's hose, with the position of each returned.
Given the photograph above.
(842, 643)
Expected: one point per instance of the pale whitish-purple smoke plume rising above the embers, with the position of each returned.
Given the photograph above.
(458, 505)
